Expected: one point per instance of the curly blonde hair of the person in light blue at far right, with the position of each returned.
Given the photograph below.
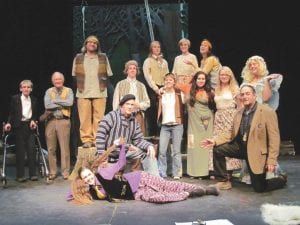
(263, 71)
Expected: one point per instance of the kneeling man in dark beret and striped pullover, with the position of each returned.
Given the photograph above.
(121, 123)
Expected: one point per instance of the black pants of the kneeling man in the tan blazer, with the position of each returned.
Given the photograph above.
(237, 150)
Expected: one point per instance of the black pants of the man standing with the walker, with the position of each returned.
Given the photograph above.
(25, 144)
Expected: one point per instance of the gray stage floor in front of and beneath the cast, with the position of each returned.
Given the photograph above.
(41, 203)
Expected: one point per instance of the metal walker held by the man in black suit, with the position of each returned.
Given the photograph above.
(41, 156)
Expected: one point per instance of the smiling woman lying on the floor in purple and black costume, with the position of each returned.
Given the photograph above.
(106, 184)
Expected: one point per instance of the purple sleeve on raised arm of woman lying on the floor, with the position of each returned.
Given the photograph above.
(109, 172)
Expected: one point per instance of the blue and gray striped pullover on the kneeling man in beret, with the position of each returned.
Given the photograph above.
(115, 125)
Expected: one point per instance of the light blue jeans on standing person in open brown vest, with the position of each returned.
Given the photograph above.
(166, 133)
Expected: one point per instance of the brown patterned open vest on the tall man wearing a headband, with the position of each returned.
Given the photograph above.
(80, 74)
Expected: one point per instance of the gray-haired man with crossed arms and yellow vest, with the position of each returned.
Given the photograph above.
(59, 100)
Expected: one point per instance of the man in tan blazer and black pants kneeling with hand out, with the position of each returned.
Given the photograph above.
(255, 137)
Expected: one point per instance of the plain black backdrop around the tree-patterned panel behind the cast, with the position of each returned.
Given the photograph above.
(36, 40)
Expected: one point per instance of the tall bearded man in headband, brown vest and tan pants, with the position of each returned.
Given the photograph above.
(91, 69)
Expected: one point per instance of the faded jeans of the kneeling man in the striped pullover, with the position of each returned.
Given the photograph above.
(149, 164)
